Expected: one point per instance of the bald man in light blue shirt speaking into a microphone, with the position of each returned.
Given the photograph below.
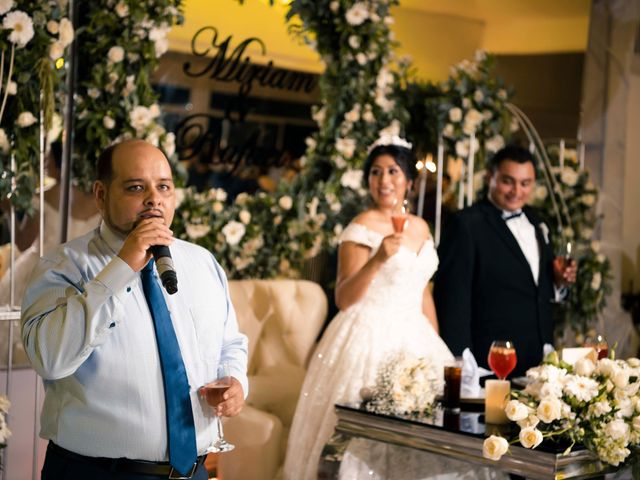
(88, 331)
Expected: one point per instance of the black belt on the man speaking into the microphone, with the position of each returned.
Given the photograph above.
(125, 465)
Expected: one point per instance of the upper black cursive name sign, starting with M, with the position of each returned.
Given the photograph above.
(235, 65)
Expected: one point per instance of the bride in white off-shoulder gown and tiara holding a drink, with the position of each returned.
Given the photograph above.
(385, 306)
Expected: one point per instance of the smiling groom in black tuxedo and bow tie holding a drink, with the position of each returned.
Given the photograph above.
(496, 279)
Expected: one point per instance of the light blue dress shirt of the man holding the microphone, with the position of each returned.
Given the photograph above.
(88, 332)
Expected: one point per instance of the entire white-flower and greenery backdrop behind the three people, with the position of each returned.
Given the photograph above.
(366, 93)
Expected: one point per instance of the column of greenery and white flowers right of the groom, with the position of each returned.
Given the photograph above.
(587, 298)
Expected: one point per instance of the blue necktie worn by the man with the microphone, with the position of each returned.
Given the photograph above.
(180, 426)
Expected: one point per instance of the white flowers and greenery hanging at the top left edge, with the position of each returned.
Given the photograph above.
(35, 35)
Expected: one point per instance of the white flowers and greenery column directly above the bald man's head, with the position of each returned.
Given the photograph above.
(122, 42)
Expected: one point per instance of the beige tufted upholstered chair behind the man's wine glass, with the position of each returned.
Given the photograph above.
(282, 319)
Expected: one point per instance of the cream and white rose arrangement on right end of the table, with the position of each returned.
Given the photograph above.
(594, 403)
